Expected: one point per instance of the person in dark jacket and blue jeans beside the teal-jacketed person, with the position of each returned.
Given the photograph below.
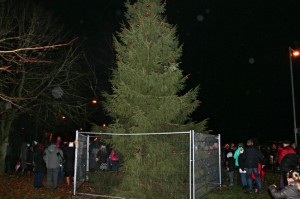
(252, 157)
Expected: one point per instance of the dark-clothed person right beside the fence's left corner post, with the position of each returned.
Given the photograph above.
(69, 156)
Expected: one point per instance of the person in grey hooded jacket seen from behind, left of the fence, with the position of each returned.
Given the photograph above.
(53, 157)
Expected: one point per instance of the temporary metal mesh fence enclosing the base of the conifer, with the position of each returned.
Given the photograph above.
(170, 168)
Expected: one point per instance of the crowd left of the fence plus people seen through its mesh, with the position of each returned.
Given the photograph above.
(56, 161)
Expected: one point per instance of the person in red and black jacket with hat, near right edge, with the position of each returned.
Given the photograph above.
(287, 160)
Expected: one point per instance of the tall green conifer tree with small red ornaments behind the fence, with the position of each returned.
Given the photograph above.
(148, 95)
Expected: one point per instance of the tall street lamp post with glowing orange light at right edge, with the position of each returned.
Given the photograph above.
(293, 53)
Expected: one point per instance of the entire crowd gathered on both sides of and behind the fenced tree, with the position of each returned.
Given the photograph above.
(249, 161)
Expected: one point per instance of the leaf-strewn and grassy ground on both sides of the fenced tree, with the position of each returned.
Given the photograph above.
(21, 187)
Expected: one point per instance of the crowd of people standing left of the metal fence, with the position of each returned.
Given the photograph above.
(54, 160)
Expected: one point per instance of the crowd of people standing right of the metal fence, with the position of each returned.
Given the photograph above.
(251, 160)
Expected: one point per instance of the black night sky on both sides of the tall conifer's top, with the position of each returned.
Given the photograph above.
(236, 50)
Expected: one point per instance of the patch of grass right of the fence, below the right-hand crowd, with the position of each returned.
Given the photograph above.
(232, 192)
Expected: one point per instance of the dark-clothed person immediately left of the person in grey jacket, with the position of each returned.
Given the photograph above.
(39, 166)
